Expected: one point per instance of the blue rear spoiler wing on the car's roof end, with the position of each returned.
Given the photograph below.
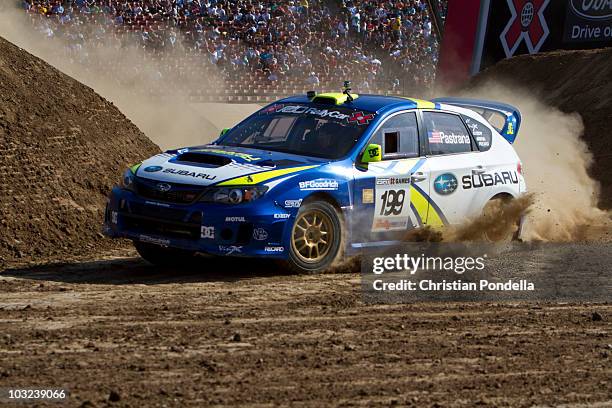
(506, 119)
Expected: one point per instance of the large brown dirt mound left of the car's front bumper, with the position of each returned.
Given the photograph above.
(62, 147)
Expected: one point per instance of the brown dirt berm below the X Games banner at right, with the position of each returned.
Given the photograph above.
(572, 81)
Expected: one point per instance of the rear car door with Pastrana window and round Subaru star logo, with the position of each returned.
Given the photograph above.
(451, 155)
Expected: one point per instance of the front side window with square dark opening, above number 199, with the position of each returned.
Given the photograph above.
(399, 137)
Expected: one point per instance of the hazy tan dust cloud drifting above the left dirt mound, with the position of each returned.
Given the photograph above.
(168, 119)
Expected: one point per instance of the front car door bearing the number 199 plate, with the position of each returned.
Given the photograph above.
(382, 189)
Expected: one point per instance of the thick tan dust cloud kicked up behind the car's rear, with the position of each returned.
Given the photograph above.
(563, 205)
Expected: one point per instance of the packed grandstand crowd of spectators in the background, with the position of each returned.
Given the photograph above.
(291, 45)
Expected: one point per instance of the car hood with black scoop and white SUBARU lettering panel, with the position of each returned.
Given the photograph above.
(209, 165)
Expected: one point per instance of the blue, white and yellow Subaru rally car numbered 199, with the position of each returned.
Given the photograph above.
(311, 178)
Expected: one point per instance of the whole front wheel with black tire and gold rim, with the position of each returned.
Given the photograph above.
(316, 238)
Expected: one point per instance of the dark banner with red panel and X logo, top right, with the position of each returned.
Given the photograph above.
(504, 28)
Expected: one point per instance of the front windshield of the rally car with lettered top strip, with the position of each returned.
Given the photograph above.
(326, 132)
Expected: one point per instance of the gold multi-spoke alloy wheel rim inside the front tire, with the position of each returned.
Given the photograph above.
(312, 236)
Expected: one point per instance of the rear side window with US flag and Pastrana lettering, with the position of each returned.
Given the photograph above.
(446, 133)
